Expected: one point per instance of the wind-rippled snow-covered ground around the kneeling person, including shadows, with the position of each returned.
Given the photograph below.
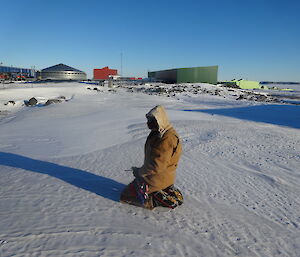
(62, 168)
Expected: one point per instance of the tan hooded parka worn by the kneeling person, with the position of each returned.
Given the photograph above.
(162, 152)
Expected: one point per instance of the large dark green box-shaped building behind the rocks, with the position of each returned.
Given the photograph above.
(207, 74)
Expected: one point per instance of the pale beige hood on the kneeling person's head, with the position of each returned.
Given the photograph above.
(159, 113)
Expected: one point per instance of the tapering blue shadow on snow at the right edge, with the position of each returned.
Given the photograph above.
(283, 115)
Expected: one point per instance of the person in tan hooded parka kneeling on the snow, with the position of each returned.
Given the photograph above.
(154, 181)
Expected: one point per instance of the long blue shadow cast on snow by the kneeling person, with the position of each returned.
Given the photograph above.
(99, 185)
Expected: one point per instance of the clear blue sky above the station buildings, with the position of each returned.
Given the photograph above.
(255, 40)
